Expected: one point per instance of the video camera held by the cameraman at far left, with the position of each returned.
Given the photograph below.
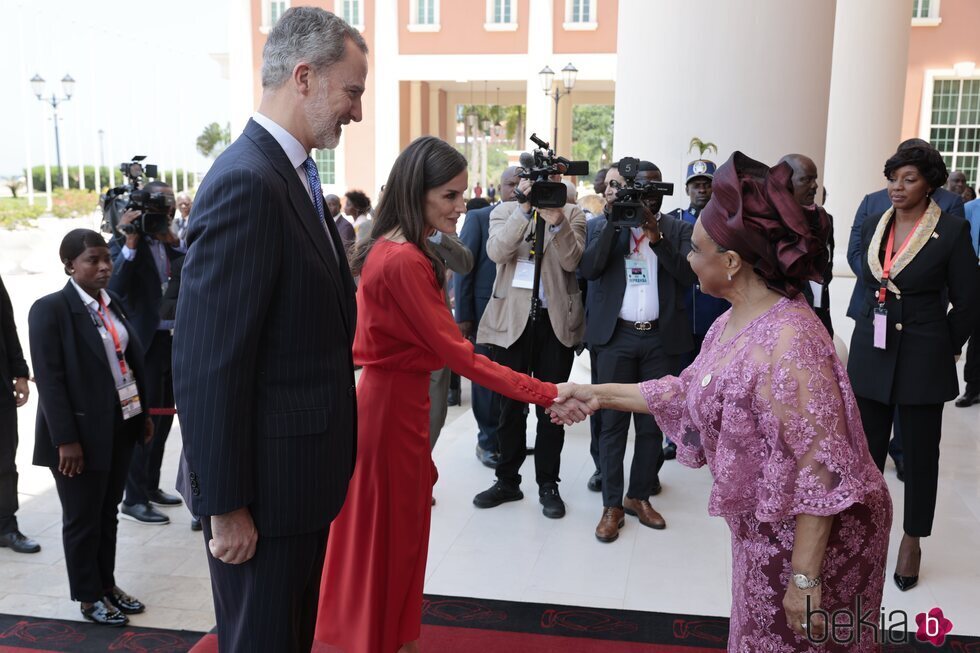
(154, 207)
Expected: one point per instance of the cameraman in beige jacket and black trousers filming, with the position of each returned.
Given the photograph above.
(535, 317)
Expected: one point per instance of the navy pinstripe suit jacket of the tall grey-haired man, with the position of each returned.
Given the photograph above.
(263, 373)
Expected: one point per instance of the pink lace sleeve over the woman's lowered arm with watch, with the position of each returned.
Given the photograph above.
(817, 459)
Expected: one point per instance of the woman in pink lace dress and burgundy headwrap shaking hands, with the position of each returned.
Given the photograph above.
(768, 407)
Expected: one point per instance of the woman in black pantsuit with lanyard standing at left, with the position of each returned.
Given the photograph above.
(88, 365)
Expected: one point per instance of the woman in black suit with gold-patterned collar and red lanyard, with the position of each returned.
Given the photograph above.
(905, 342)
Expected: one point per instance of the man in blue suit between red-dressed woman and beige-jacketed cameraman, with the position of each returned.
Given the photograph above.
(473, 292)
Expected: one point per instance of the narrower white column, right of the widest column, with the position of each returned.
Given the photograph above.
(867, 97)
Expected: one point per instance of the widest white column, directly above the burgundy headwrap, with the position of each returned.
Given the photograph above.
(756, 78)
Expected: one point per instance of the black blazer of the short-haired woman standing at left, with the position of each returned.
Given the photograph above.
(77, 396)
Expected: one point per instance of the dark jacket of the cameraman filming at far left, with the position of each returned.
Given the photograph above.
(138, 283)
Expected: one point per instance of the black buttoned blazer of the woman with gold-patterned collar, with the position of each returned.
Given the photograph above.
(917, 367)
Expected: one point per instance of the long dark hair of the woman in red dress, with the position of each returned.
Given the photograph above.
(426, 163)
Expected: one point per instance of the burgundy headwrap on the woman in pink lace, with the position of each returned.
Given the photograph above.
(753, 212)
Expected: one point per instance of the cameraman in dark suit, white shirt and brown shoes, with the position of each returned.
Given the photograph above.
(638, 326)
